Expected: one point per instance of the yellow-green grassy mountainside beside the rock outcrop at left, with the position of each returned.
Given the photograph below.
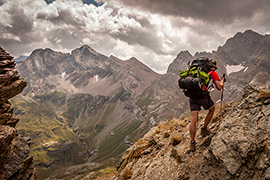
(52, 139)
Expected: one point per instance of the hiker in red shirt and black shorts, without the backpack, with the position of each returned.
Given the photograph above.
(207, 103)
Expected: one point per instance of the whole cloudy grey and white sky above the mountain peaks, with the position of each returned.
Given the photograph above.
(153, 31)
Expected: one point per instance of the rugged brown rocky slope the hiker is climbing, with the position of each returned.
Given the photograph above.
(238, 148)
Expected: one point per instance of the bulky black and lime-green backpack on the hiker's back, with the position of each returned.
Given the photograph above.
(193, 79)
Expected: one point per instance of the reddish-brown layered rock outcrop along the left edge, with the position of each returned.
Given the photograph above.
(15, 161)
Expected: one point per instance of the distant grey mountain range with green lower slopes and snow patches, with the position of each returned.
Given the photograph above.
(84, 106)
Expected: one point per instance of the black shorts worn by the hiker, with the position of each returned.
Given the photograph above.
(195, 104)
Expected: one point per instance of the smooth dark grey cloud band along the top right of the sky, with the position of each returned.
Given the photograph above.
(208, 10)
